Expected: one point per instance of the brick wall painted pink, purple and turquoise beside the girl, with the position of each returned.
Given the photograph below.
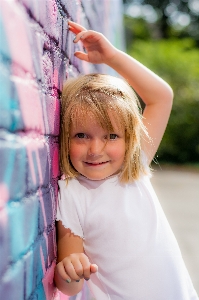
(36, 56)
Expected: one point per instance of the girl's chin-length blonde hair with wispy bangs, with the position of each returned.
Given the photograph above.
(98, 94)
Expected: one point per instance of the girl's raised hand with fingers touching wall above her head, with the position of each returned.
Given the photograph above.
(98, 48)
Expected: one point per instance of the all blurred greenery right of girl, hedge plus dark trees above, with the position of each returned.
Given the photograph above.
(164, 35)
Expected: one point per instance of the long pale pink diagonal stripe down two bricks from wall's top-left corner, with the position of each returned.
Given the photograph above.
(15, 20)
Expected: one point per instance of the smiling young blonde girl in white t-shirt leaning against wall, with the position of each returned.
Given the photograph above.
(112, 231)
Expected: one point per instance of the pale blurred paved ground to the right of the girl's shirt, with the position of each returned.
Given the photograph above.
(178, 192)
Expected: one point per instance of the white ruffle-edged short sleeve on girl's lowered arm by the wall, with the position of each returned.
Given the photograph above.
(68, 210)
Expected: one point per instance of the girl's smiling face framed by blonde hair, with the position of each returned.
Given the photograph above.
(92, 152)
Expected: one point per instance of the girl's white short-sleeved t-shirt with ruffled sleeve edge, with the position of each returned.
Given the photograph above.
(126, 233)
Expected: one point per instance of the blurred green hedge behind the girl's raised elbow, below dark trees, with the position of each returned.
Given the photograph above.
(177, 62)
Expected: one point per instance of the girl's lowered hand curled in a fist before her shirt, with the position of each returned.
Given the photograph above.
(75, 267)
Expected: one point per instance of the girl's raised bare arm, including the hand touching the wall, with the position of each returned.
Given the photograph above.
(154, 91)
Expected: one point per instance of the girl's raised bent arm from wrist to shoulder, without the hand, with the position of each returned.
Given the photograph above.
(154, 91)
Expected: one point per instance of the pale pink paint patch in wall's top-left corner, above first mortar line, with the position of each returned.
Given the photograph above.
(15, 24)
